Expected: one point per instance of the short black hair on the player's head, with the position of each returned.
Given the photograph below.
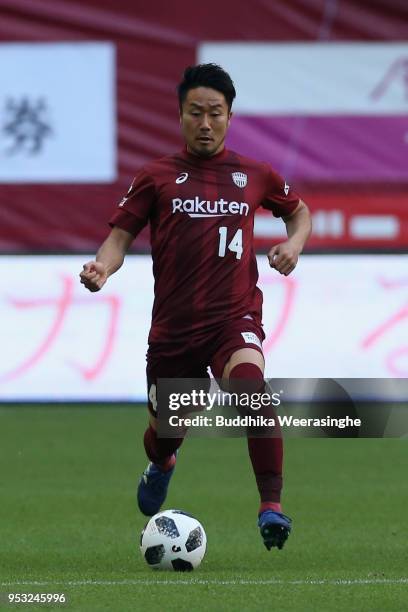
(206, 75)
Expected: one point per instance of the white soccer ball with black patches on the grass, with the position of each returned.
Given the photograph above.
(173, 540)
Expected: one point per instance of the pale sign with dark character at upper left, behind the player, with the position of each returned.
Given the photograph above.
(57, 112)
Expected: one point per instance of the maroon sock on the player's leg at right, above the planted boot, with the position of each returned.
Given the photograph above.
(265, 447)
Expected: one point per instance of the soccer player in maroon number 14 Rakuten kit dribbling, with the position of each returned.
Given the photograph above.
(200, 203)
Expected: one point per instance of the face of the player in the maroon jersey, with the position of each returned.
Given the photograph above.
(204, 120)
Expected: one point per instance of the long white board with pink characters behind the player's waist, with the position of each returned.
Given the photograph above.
(334, 317)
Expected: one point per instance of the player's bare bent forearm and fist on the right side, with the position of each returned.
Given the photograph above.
(284, 256)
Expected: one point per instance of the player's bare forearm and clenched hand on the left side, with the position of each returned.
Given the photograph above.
(109, 259)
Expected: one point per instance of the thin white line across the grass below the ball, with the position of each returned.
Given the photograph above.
(193, 581)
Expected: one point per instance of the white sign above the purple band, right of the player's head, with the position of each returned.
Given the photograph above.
(314, 78)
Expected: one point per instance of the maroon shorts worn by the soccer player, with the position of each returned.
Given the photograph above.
(192, 359)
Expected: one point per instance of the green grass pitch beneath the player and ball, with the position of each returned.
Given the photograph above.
(69, 521)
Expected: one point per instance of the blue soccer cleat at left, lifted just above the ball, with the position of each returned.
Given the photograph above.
(152, 489)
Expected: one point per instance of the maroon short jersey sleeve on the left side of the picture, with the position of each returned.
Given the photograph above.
(135, 208)
